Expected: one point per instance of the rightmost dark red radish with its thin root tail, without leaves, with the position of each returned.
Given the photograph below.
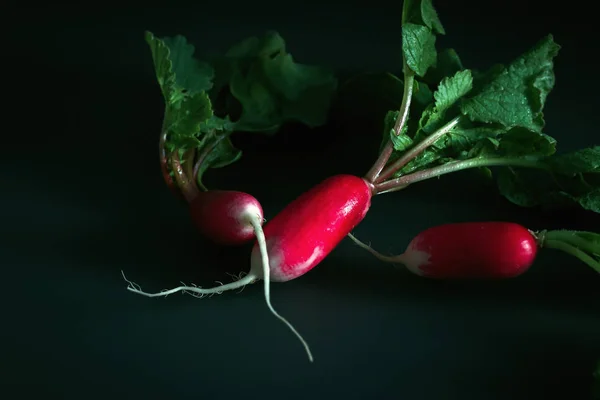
(480, 250)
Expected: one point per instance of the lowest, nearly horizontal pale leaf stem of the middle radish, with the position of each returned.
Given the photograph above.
(403, 181)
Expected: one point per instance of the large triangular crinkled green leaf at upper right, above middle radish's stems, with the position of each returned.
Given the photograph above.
(517, 95)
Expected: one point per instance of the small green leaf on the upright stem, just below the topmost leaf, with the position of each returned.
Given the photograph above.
(418, 47)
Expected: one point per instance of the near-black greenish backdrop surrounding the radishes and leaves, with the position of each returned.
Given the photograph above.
(83, 198)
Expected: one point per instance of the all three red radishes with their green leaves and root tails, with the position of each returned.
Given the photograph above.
(454, 130)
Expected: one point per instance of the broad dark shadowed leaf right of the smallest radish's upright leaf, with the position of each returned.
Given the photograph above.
(273, 89)
